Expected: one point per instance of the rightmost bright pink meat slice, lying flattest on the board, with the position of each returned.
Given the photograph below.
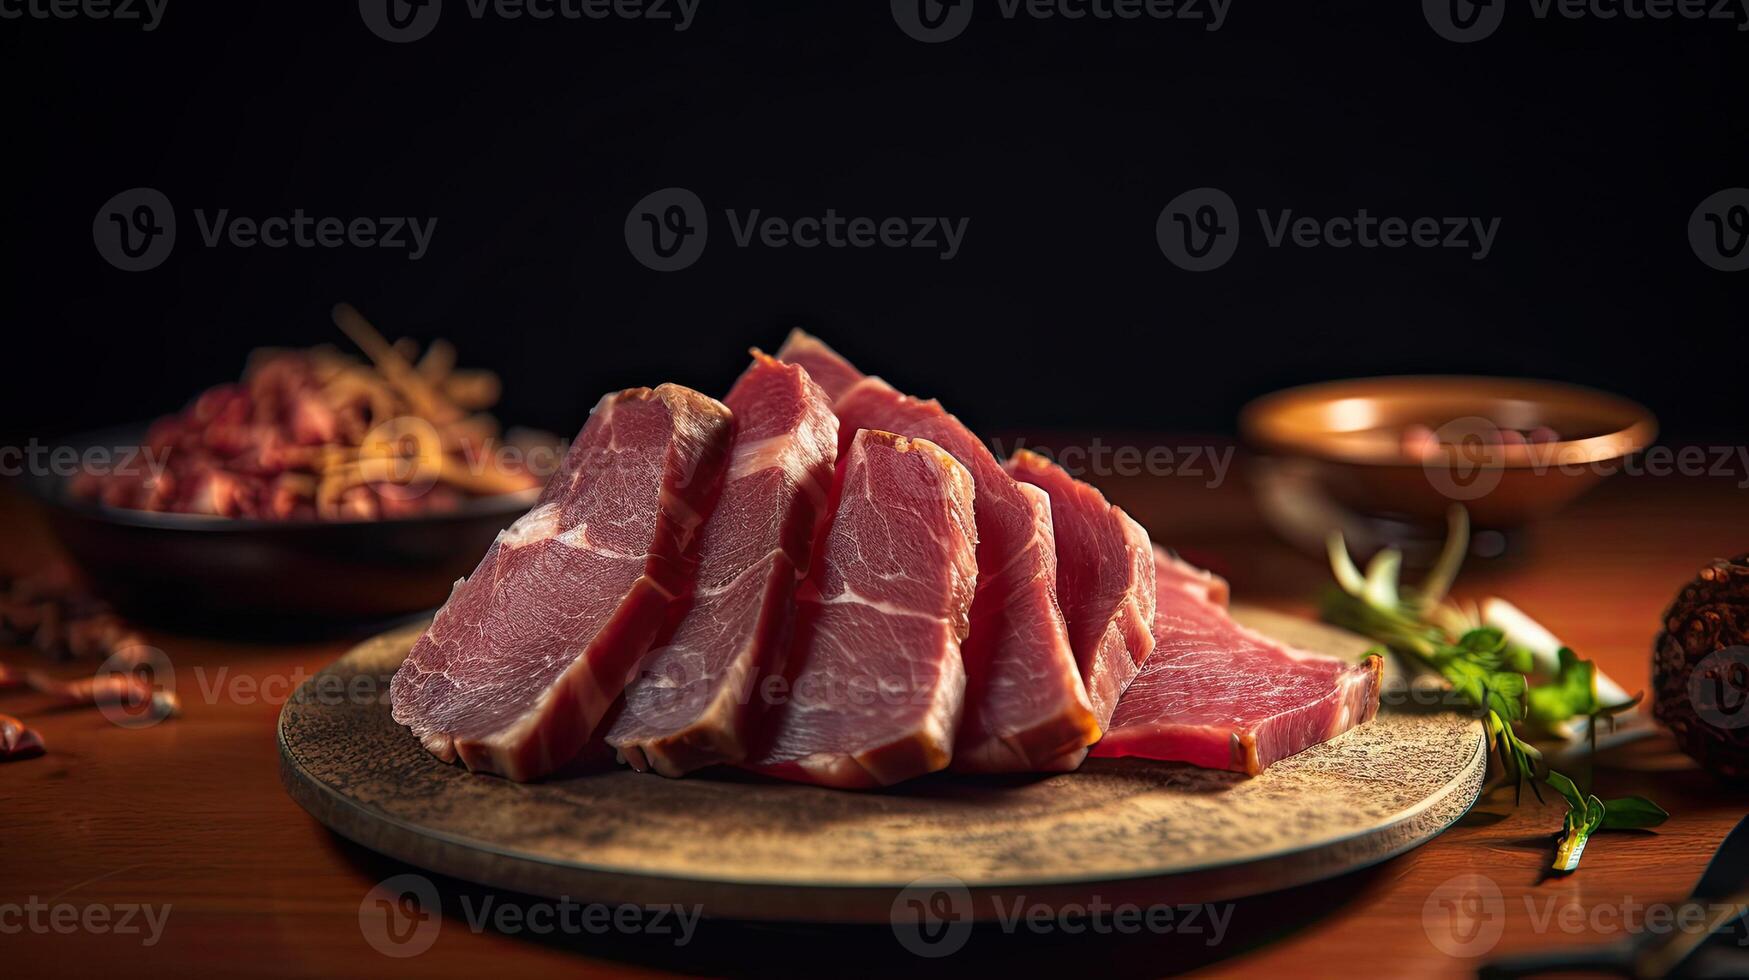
(1220, 696)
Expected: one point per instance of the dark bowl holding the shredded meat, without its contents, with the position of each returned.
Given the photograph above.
(223, 575)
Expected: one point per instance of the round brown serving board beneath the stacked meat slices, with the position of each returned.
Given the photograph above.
(825, 855)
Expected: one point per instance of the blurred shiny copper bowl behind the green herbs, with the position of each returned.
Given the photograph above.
(1467, 445)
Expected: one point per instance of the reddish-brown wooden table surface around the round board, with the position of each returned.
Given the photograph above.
(190, 815)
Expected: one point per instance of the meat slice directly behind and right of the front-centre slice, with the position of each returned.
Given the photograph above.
(1026, 706)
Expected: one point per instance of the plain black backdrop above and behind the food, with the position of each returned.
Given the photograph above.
(529, 141)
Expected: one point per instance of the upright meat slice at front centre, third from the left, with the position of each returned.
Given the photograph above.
(875, 682)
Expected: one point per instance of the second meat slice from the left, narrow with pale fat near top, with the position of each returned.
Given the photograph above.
(692, 704)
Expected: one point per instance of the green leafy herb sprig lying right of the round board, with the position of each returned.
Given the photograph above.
(1491, 673)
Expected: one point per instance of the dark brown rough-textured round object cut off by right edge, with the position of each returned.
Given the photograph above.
(1701, 669)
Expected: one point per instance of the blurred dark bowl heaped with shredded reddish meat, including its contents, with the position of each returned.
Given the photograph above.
(317, 494)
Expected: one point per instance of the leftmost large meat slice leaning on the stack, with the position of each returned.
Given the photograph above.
(531, 650)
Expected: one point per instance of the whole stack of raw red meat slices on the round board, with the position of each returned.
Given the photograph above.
(837, 584)
